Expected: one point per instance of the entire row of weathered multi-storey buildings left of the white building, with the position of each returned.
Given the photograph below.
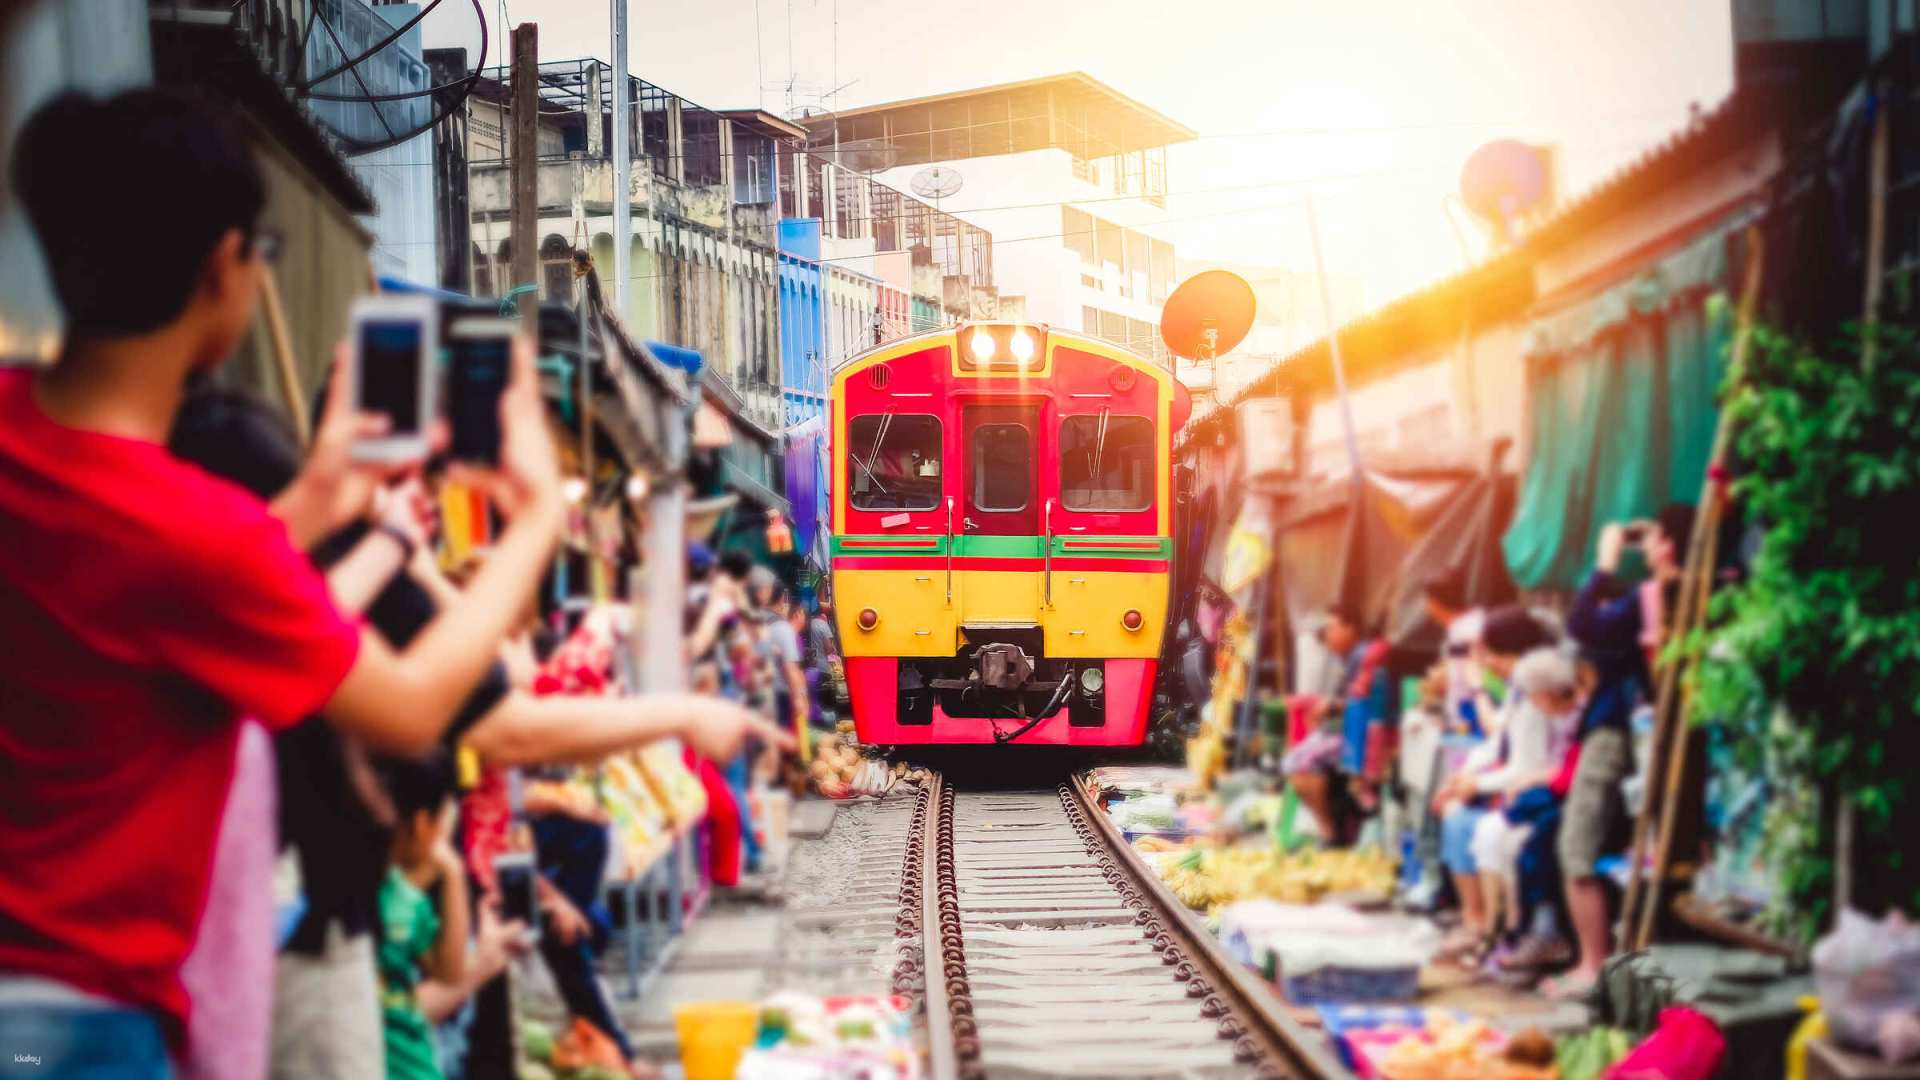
(709, 195)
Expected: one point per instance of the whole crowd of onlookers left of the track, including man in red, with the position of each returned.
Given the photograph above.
(252, 731)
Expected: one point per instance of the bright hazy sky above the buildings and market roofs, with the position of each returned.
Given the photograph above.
(1368, 105)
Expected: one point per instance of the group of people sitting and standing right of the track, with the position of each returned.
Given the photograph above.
(1525, 741)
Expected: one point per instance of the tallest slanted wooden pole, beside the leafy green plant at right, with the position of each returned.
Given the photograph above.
(1654, 825)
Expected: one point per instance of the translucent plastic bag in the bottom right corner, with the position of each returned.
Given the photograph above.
(1865, 971)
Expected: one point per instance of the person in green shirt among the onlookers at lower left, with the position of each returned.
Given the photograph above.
(418, 941)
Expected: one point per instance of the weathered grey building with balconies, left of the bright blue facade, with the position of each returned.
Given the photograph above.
(704, 249)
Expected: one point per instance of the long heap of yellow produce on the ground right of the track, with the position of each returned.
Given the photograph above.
(1207, 877)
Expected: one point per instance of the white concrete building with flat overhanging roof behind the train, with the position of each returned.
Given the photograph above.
(1063, 157)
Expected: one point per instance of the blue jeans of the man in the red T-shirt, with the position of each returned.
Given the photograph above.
(78, 1043)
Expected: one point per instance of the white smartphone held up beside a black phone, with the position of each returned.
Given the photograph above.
(395, 368)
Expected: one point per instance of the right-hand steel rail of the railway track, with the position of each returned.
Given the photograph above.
(1270, 1041)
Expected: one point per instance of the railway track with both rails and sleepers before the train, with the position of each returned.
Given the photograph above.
(1044, 948)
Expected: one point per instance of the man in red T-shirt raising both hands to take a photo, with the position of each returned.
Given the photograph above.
(149, 608)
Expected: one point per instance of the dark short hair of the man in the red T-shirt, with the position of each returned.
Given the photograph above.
(128, 197)
